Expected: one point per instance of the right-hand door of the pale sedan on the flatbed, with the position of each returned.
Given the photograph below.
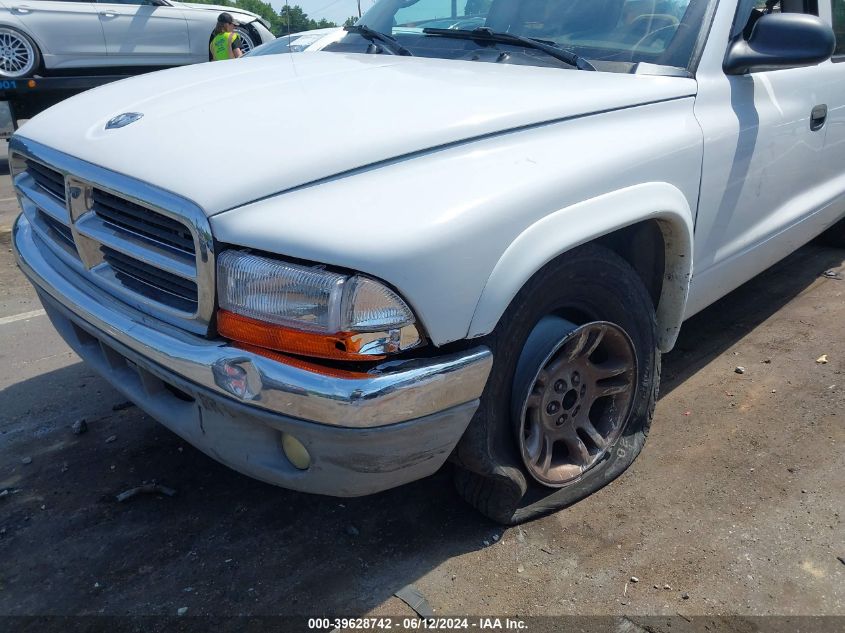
(144, 32)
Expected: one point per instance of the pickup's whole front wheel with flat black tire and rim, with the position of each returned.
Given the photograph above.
(572, 391)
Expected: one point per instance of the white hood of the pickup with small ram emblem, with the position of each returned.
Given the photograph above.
(226, 133)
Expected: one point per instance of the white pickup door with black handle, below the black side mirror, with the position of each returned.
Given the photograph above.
(762, 149)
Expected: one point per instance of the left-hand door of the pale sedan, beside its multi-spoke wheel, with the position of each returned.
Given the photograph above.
(63, 29)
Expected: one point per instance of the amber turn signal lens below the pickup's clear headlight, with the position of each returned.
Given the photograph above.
(340, 346)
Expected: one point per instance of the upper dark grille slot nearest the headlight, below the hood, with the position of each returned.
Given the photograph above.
(143, 222)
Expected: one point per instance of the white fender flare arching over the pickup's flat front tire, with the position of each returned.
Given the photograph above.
(586, 221)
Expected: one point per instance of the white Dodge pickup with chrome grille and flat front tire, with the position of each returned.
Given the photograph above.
(468, 231)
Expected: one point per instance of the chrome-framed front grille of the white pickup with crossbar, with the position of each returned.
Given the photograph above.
(150, 248)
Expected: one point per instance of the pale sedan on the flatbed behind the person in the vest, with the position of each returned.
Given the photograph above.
(44, 36)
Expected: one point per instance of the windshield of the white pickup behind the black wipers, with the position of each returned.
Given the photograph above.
(615, 35)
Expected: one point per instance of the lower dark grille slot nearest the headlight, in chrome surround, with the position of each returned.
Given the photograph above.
(152, 282)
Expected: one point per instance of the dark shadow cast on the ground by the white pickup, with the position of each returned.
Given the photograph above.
(228, 545)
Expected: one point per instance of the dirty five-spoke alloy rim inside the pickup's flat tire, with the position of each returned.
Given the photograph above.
(578, 403)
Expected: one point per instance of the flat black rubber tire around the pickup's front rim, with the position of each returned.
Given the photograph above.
(590, 283)
